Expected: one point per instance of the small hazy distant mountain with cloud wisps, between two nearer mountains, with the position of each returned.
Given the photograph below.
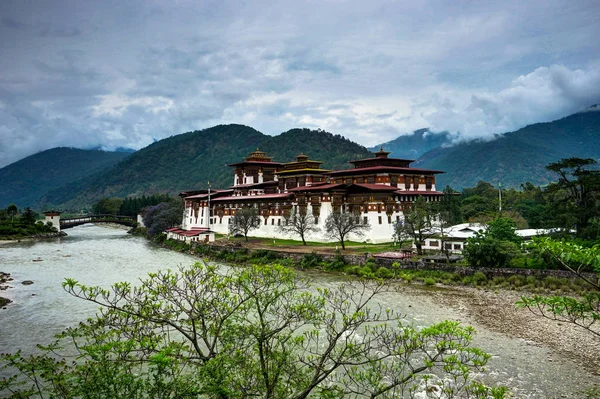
(412, 146)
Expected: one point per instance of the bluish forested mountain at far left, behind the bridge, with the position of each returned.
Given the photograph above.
(25, 181)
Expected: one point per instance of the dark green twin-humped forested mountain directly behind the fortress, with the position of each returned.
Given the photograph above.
(189, 161)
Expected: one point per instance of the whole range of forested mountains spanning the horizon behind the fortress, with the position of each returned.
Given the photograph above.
(74, 179)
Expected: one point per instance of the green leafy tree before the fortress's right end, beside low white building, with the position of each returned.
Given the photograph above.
(418, 223)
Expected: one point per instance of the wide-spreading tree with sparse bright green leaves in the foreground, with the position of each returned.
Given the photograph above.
(245, 333)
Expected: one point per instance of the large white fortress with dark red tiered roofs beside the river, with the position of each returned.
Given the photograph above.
(376, 190)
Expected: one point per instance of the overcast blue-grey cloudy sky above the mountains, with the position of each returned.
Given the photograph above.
(110, 73)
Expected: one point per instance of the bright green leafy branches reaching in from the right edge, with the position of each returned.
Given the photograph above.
(583, 312)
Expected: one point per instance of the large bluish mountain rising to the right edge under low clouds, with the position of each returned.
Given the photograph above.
(517, 157)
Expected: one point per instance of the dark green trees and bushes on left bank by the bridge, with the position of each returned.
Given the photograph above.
(16, 225)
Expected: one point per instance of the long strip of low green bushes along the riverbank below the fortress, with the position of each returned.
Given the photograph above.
(408, 271)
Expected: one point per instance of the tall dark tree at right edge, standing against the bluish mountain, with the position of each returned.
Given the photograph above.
(578, 190)
